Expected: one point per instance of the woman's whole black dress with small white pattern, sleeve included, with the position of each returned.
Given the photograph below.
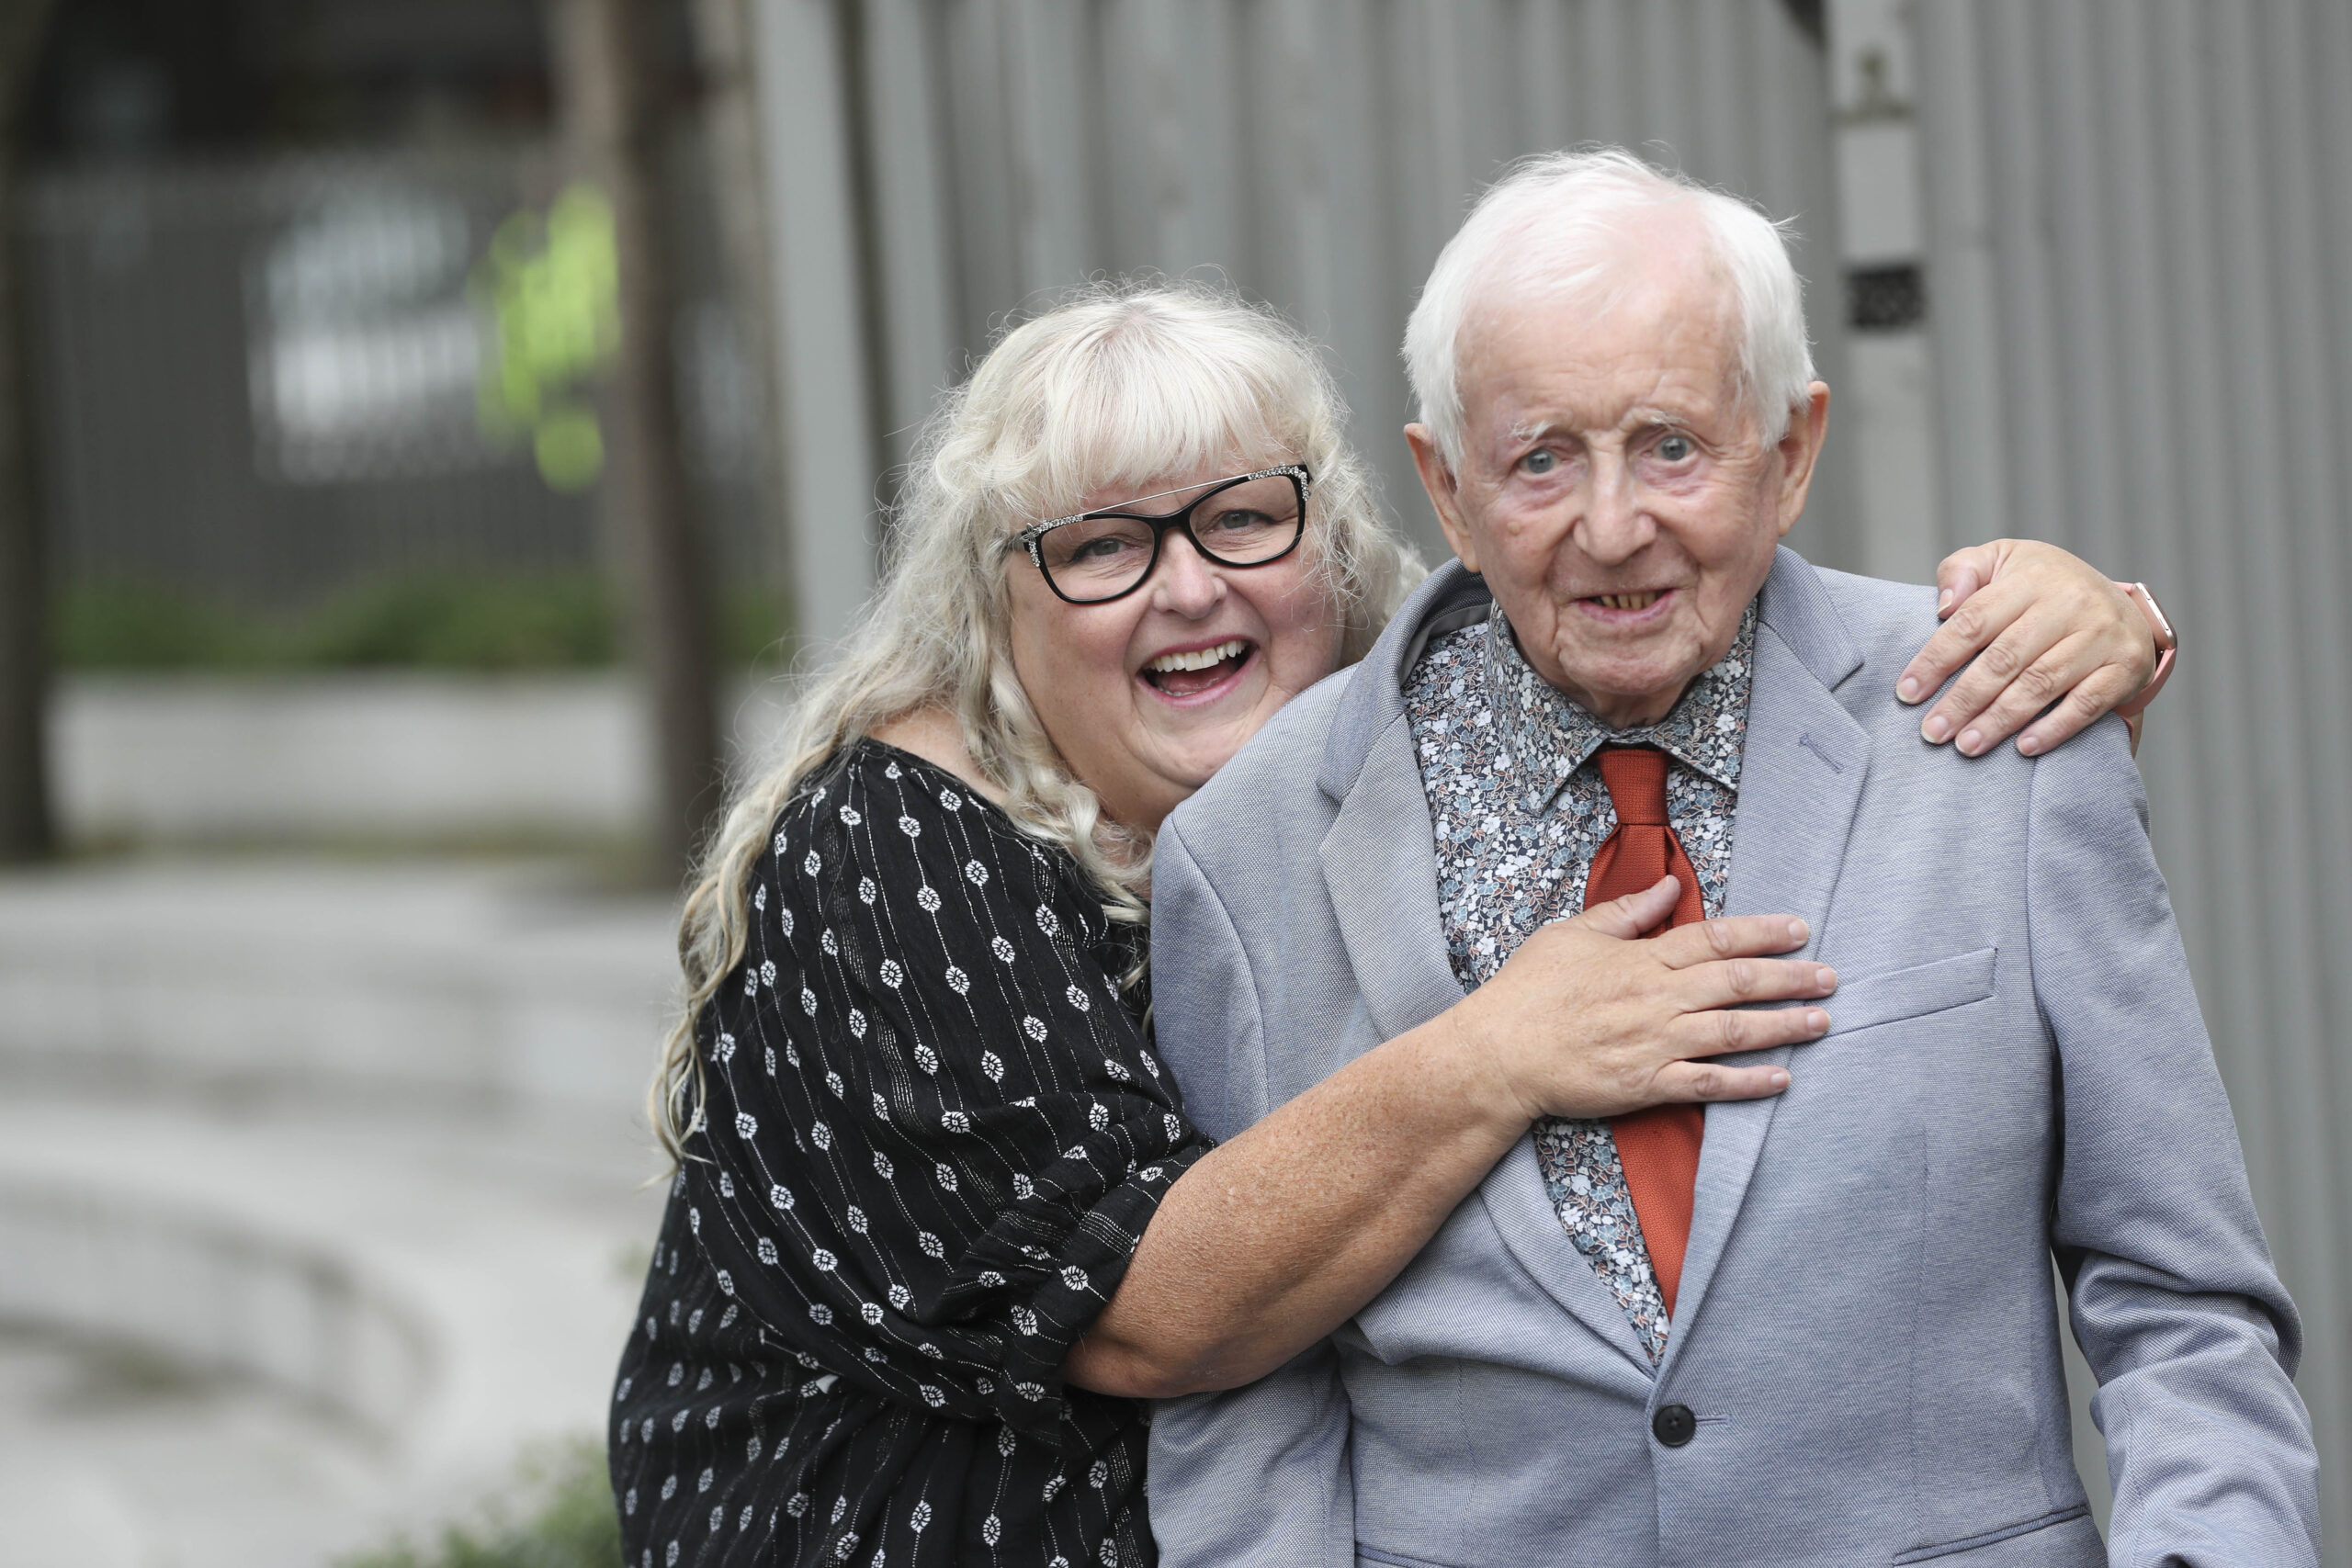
(933, 1141)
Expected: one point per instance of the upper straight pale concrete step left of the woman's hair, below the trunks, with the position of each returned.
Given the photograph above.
(472, 986)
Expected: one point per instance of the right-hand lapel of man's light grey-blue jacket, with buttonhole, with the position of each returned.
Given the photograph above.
(1800, 782)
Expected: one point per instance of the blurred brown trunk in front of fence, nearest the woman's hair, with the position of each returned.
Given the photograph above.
(608, 88)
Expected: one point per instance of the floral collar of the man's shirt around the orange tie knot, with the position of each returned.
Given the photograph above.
(1551, 737)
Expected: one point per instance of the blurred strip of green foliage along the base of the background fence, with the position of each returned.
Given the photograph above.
(432, 622)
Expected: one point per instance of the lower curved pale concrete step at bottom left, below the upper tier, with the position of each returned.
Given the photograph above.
(380, 1318)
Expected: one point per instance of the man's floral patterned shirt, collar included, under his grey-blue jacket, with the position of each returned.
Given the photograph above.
(1521, 812)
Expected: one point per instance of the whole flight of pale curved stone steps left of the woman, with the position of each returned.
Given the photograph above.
(359, 1148)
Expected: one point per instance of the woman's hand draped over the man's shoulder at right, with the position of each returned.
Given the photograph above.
(2040, 629)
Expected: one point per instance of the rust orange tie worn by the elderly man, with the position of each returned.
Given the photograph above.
(1659, 1146)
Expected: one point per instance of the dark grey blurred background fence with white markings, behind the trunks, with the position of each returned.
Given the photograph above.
(260, 377)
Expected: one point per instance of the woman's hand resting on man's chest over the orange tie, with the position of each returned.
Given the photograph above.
(1589, 1019)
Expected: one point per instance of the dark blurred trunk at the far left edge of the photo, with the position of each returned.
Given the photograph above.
(27, 824)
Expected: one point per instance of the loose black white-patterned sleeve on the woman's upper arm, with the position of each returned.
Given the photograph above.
(933, 1132)
